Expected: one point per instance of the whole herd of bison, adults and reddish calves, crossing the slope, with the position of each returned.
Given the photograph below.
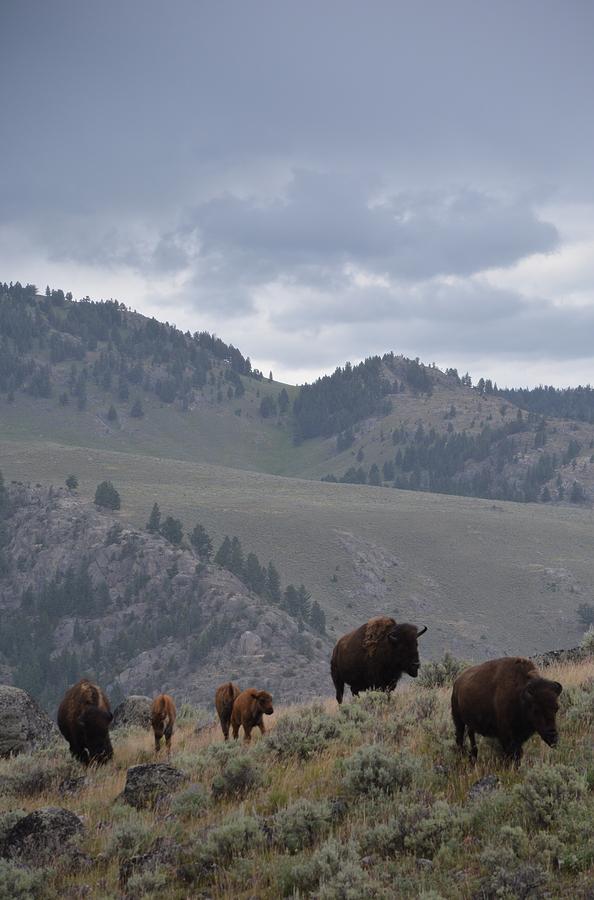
(502, 698)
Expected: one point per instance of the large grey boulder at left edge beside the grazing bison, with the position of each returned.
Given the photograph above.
(24, 726)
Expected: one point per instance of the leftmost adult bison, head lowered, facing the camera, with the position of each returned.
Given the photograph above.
(84, 717)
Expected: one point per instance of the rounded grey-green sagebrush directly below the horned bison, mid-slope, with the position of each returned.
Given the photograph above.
(372, 770)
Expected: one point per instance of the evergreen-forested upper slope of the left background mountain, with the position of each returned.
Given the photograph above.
(117, 349)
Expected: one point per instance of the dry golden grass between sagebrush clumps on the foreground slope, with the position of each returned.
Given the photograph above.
(458, 868)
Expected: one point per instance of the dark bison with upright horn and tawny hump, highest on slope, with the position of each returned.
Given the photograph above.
(375, 655)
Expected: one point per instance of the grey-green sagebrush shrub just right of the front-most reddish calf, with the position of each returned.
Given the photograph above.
(304, 734)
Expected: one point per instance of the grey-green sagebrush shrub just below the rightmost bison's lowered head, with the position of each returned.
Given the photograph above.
(545, 791)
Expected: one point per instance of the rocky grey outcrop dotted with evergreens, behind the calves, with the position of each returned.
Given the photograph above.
(81, 594)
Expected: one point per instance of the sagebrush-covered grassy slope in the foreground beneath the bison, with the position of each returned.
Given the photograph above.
(371, 801)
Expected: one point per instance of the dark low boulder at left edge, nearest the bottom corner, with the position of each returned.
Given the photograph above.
(38, 837)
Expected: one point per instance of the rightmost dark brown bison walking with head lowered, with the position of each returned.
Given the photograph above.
(505, 699)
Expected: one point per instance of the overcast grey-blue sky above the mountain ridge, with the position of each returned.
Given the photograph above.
(314, 181)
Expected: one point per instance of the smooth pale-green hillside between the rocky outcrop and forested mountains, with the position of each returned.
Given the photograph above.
(487, 578)
